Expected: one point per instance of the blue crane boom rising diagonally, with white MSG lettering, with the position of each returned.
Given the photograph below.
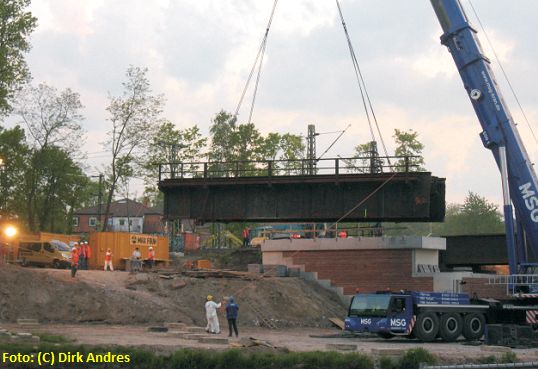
(499, 133)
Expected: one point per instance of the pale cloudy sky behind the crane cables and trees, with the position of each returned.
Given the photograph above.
(199, 54)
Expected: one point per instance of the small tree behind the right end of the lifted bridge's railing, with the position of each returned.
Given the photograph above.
(408, 145)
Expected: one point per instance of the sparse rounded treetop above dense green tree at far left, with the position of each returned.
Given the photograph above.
(53, 118)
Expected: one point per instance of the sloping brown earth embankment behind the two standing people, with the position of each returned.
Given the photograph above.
(51, 295)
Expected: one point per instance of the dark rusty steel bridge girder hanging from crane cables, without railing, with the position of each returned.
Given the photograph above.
(412, 196)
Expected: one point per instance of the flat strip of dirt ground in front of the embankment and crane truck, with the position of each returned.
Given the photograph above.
(293, 339)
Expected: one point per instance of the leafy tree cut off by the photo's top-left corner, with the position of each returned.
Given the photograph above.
(16, 25)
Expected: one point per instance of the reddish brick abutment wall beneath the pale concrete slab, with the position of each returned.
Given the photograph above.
(367, 270)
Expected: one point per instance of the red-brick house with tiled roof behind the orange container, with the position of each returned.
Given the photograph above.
(124, 216)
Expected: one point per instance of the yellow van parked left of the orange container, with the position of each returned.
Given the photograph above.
(49, 253)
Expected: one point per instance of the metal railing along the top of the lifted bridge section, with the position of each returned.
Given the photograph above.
(280, 168)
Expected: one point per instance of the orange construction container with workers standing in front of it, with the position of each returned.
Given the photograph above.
(122, 245)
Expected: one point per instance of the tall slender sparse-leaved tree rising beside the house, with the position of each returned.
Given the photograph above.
(135, 117)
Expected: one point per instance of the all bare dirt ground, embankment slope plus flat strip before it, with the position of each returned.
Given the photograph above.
(117, 308)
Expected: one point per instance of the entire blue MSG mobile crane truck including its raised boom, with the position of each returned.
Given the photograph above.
(429, 315)
